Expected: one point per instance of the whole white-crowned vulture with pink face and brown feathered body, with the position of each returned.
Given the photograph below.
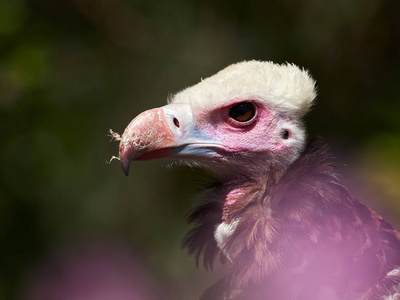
(278, 217)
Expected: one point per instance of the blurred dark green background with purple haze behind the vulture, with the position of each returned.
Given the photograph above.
(74, 227)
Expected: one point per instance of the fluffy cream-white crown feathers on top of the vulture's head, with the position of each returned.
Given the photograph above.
(285, 88)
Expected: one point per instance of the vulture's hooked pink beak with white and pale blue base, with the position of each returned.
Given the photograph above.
(168, 131)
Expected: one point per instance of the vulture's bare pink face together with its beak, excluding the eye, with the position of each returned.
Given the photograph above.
(206, 136)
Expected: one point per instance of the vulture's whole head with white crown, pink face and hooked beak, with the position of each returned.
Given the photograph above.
(246, 118)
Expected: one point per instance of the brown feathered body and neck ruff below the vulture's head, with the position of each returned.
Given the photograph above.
(299, 236)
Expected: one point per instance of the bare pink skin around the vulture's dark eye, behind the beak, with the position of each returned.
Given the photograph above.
(258, 134)
